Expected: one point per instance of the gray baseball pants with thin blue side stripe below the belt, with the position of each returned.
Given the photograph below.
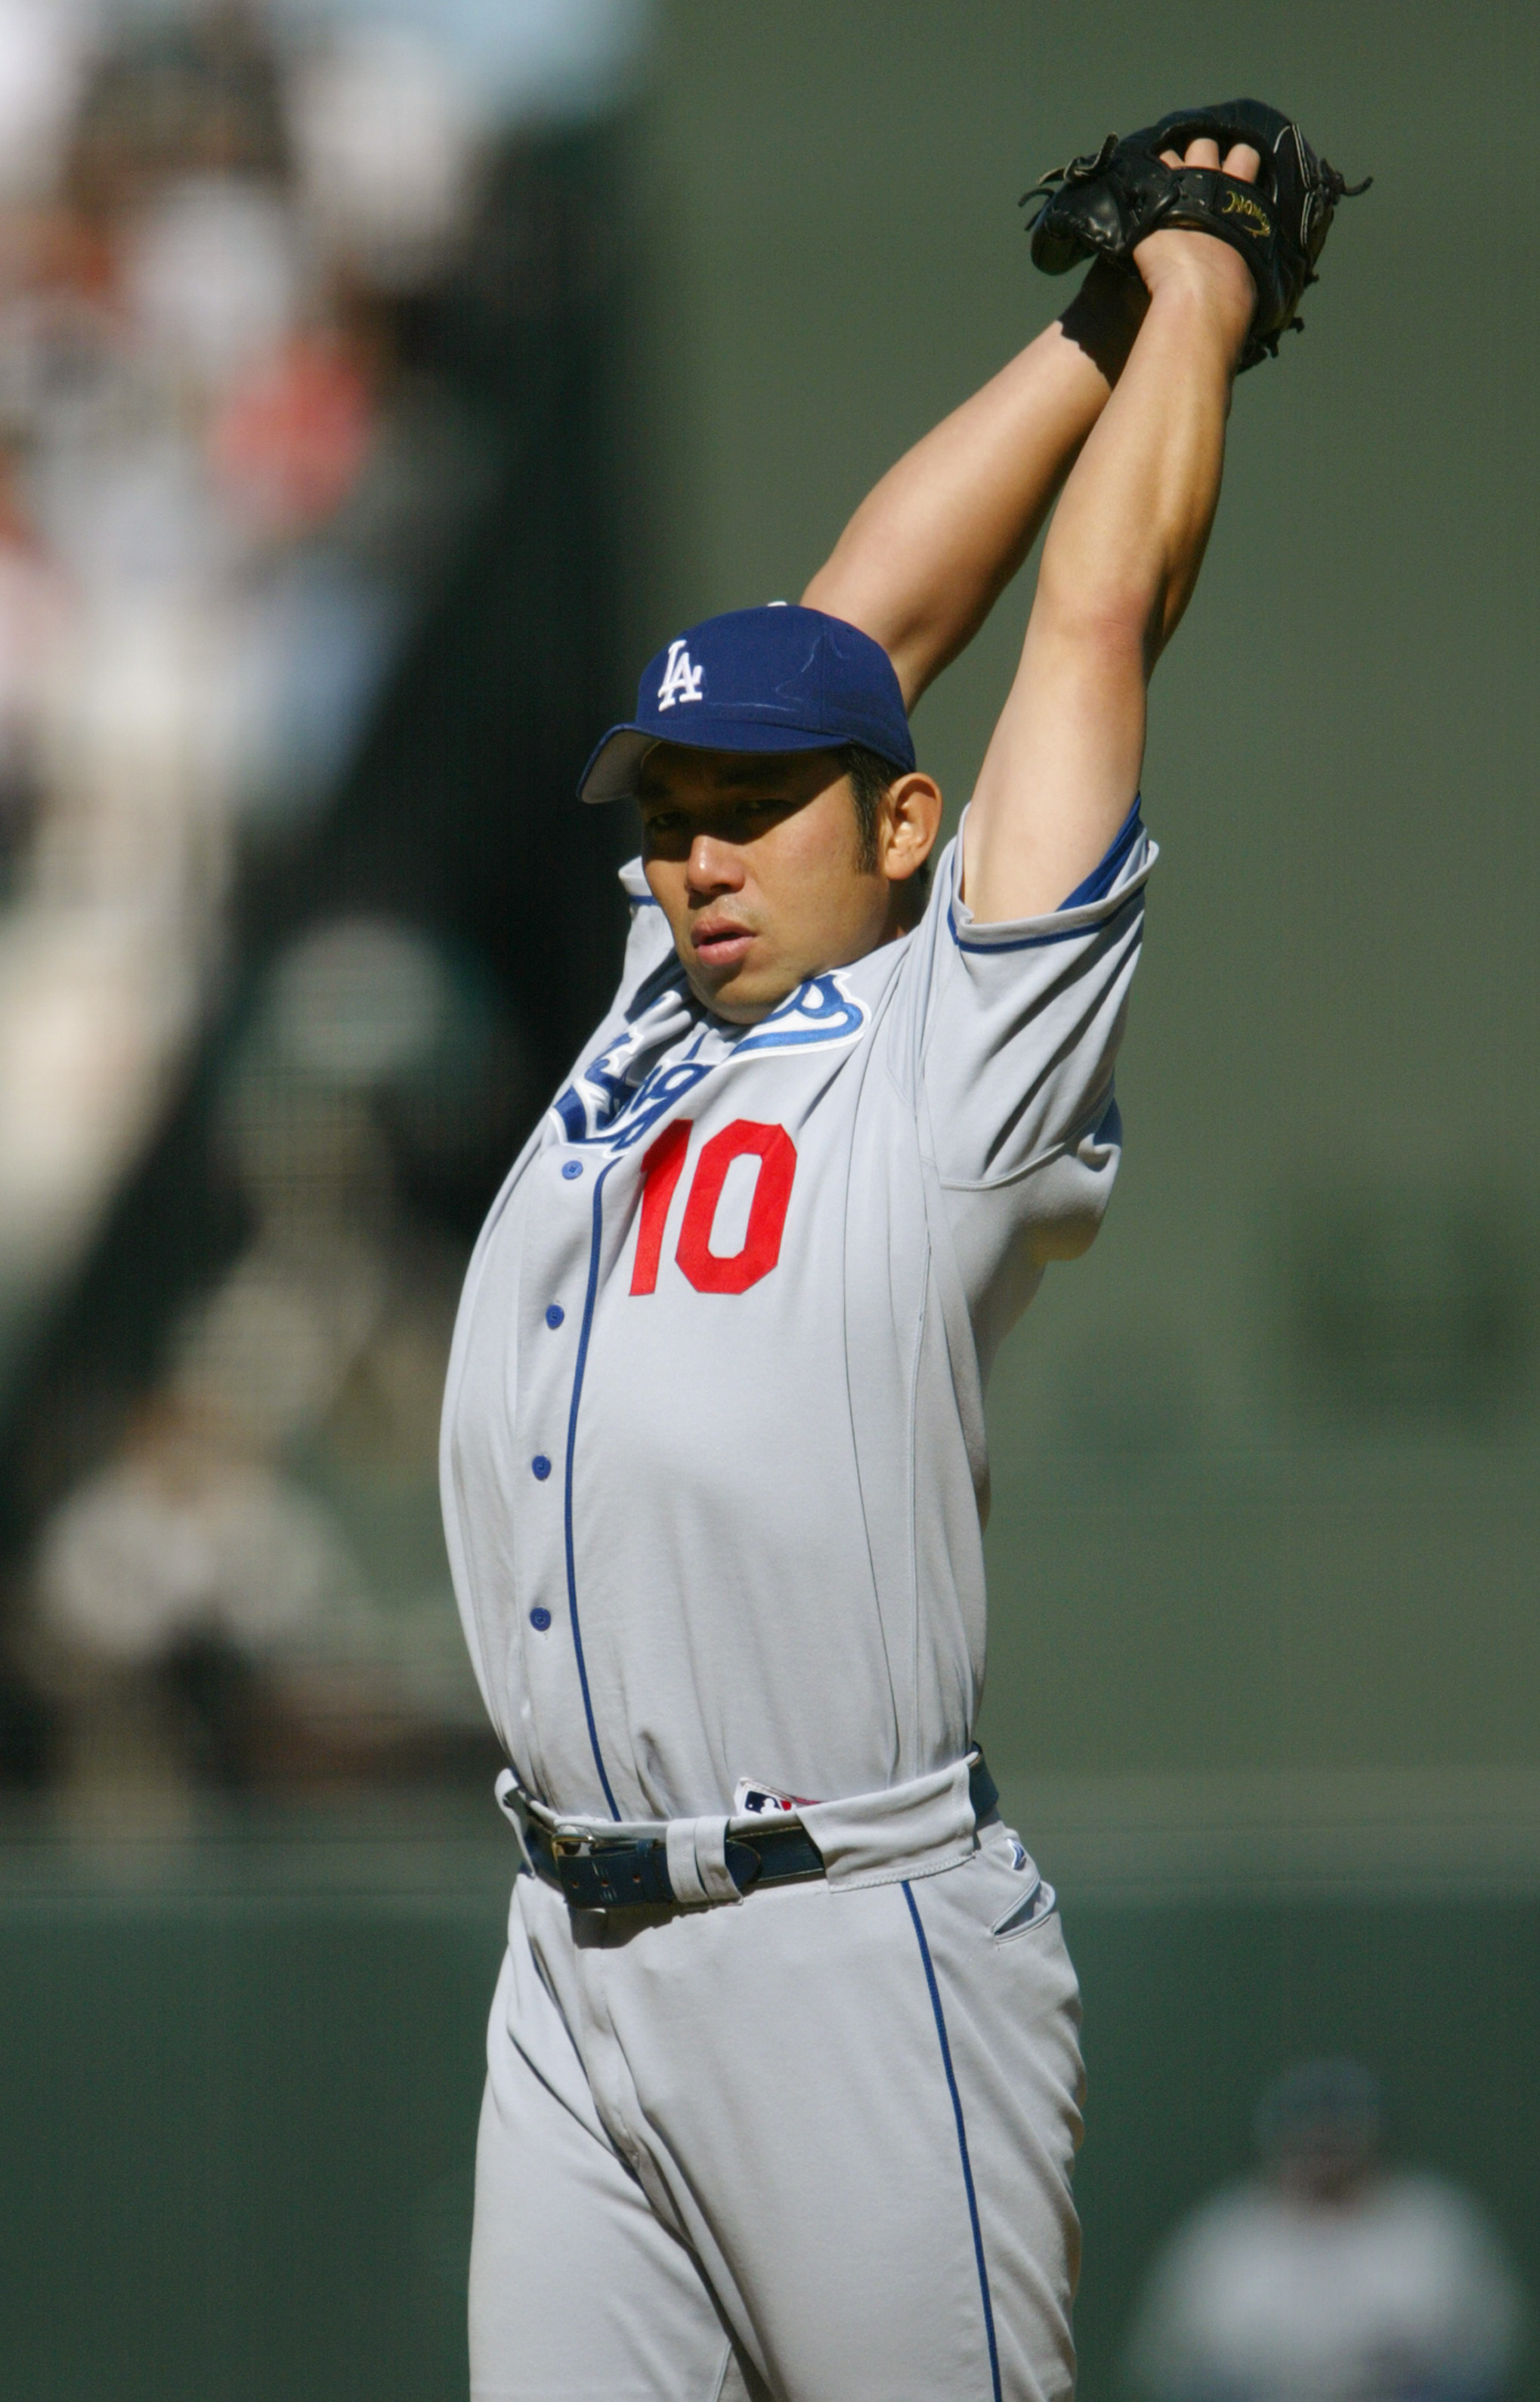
(813, 2146)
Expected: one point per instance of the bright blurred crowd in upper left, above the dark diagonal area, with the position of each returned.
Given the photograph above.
(220, 496)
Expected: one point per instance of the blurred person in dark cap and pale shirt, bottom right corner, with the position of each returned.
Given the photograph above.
(1330, 2278)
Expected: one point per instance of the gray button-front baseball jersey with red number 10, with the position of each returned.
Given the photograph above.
(715, 1459)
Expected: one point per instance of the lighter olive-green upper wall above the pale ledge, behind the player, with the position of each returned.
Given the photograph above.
(1325, 1500)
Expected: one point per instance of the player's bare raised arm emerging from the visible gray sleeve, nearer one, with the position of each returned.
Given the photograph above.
(1118, 570)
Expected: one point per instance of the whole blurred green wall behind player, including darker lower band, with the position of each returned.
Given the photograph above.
(1265, 1639)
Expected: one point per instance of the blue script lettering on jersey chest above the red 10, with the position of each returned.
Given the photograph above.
(631, 1087)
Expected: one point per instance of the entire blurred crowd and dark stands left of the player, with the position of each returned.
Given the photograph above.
(292, 345)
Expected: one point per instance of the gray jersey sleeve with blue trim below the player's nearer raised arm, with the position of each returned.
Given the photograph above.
(1015, 1036)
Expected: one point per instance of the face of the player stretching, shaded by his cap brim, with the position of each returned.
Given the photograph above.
(756, 861)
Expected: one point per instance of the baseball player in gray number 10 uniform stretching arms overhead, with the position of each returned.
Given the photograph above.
(784, 2074)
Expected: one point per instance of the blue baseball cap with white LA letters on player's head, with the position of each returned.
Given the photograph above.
(772, 679)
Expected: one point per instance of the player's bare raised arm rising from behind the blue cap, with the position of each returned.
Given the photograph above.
(941, 537)
